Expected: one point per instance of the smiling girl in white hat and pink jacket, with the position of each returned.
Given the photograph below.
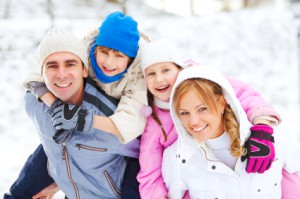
(161, 65)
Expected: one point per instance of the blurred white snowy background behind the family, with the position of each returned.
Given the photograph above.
(258, 46)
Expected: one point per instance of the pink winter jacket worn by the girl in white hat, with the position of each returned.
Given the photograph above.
(153, 144)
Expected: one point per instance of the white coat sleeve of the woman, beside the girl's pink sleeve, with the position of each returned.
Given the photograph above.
(170, 171)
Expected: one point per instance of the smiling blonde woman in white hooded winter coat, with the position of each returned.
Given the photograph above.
(212, 129)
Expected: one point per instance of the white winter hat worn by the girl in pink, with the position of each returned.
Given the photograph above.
(159, 51)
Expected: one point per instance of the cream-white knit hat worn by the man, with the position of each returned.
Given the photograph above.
(57, 40)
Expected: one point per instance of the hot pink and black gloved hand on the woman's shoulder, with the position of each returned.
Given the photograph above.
(260, 149)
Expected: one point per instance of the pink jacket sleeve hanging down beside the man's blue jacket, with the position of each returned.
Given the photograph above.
(151, 152)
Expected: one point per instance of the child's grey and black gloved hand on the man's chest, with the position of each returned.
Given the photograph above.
(67, 117)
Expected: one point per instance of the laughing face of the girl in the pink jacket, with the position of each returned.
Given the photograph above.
(160, 79)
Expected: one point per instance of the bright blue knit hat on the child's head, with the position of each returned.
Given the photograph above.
(119, 32)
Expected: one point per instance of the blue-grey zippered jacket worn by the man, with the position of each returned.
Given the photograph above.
(88, 165)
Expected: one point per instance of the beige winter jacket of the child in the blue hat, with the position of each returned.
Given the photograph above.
(130, 89)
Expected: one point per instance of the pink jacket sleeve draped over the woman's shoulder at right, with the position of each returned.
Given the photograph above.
(252, 102)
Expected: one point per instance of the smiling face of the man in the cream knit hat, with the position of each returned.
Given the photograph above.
(64, 75)
